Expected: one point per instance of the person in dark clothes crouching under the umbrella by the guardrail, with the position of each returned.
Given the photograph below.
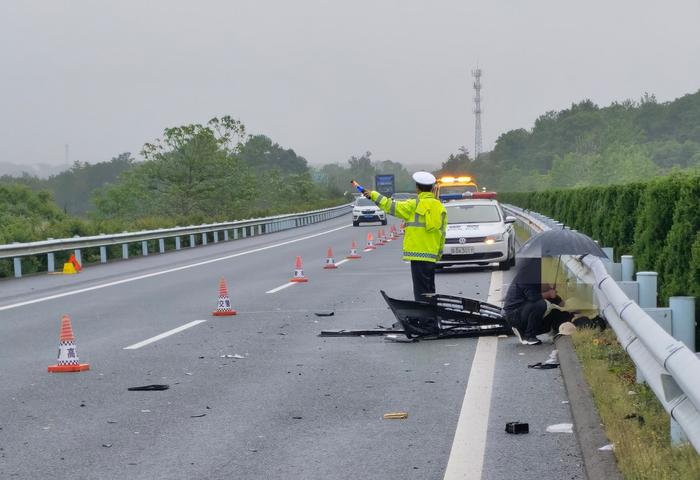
(530, 305)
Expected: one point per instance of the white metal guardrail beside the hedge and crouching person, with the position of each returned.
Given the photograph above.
(669, 367)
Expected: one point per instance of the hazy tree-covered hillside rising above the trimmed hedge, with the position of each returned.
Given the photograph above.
(590, 145)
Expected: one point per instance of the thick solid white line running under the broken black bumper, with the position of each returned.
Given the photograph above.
(466, 459)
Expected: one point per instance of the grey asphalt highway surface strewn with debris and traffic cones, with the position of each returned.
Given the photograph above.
(260, 395)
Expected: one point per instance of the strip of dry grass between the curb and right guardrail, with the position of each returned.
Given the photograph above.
(634, 420)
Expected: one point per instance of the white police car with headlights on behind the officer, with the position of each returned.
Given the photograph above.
(478, 233)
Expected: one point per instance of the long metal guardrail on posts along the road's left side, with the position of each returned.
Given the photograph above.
(239, 229)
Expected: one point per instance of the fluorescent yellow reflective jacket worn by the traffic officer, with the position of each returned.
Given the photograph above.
(426, 222)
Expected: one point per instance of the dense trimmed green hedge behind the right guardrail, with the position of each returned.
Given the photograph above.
(657, 221)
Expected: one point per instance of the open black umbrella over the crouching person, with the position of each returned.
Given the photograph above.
(554, 243)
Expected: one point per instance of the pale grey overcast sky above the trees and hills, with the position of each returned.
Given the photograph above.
(327, 78)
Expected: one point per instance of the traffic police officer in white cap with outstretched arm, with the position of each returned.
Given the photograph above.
(426, 221)
